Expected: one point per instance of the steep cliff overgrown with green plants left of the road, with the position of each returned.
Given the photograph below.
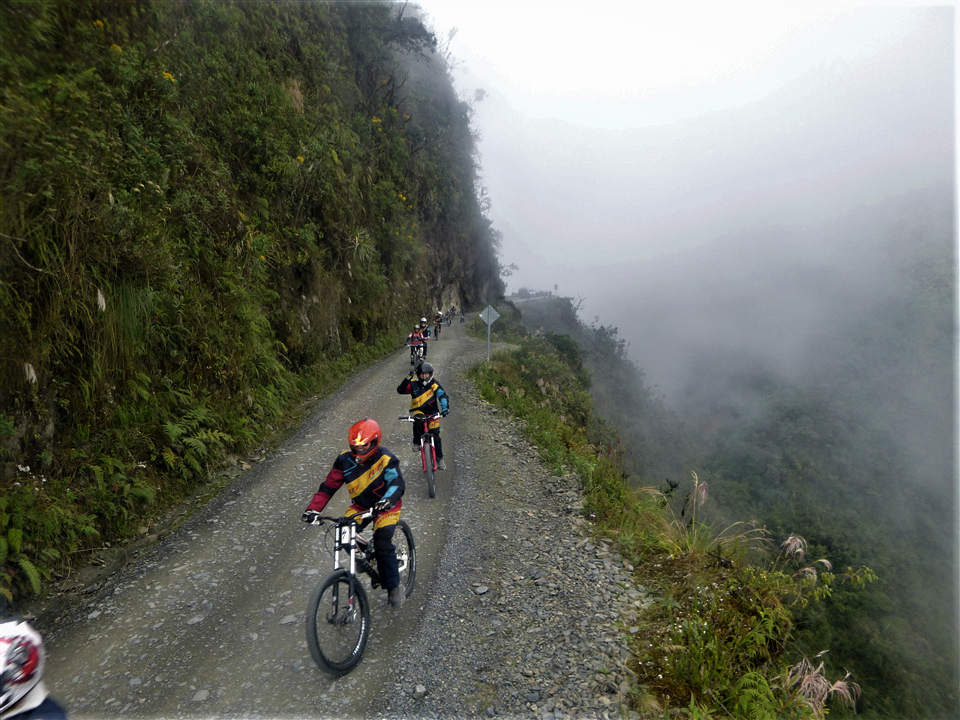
(207, 208)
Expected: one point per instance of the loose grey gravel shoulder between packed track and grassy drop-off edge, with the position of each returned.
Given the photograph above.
(531, 614)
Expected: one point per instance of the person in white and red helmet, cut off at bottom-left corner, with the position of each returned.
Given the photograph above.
(23, 695)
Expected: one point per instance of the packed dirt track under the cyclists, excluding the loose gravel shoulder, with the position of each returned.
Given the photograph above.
(210, 621)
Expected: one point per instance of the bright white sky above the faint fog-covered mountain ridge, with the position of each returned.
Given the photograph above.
(624, 65)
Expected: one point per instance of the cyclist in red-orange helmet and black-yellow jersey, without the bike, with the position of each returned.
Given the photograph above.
(372, 475)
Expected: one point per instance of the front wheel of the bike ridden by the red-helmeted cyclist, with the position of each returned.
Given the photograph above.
(338, 624)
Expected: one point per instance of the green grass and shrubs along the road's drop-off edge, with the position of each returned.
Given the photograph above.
(717, 644)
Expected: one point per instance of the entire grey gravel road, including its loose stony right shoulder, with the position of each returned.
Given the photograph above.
(518, 612)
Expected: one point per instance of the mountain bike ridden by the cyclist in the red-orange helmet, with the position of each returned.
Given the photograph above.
(338, 613)
